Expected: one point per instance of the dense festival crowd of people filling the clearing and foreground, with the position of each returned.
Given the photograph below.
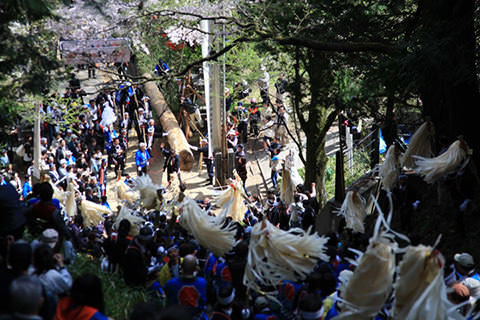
(183, 279)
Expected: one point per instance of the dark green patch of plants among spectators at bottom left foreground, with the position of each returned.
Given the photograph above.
(119, 298)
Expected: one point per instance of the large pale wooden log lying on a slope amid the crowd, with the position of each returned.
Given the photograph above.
(176, 138)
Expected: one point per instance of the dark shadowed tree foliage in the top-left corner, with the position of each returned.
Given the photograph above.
(26, 53)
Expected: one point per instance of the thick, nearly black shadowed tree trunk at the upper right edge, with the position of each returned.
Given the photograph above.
(449, 86)
